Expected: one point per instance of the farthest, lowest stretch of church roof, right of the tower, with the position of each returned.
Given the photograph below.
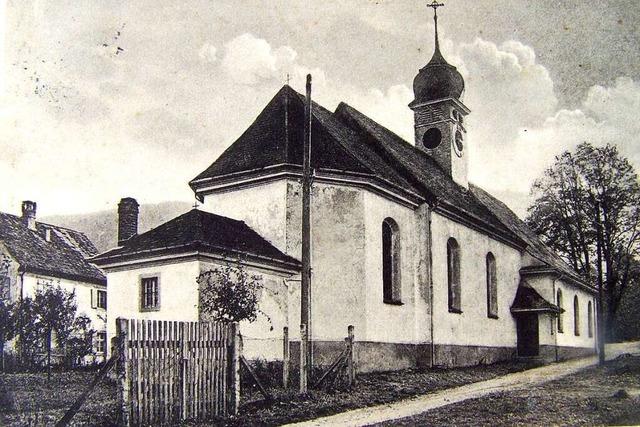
(535, 247)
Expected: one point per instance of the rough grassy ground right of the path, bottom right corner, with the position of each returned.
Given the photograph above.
(608, 395)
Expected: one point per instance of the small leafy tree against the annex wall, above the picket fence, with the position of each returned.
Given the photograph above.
(230, 294)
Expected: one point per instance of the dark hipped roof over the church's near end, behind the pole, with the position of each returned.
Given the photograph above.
(276, 139)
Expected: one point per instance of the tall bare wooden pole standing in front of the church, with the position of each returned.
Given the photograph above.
(305, 292)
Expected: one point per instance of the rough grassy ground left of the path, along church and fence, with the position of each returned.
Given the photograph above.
(28, 399)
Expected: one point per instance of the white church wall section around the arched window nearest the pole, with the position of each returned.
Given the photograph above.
(406, 323)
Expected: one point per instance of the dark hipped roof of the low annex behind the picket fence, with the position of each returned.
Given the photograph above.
(198, 231)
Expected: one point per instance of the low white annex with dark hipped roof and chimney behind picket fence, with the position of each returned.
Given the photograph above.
(153, 275)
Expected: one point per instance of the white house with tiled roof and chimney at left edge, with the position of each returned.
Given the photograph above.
(37, 255)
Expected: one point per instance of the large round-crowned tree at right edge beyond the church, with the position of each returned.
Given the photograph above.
(587, 202)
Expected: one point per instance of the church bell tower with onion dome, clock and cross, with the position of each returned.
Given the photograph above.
(439, 112)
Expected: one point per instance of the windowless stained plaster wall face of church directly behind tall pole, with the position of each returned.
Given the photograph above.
(337, 257)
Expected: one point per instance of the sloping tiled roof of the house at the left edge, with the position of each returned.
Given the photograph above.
(64, 256)
